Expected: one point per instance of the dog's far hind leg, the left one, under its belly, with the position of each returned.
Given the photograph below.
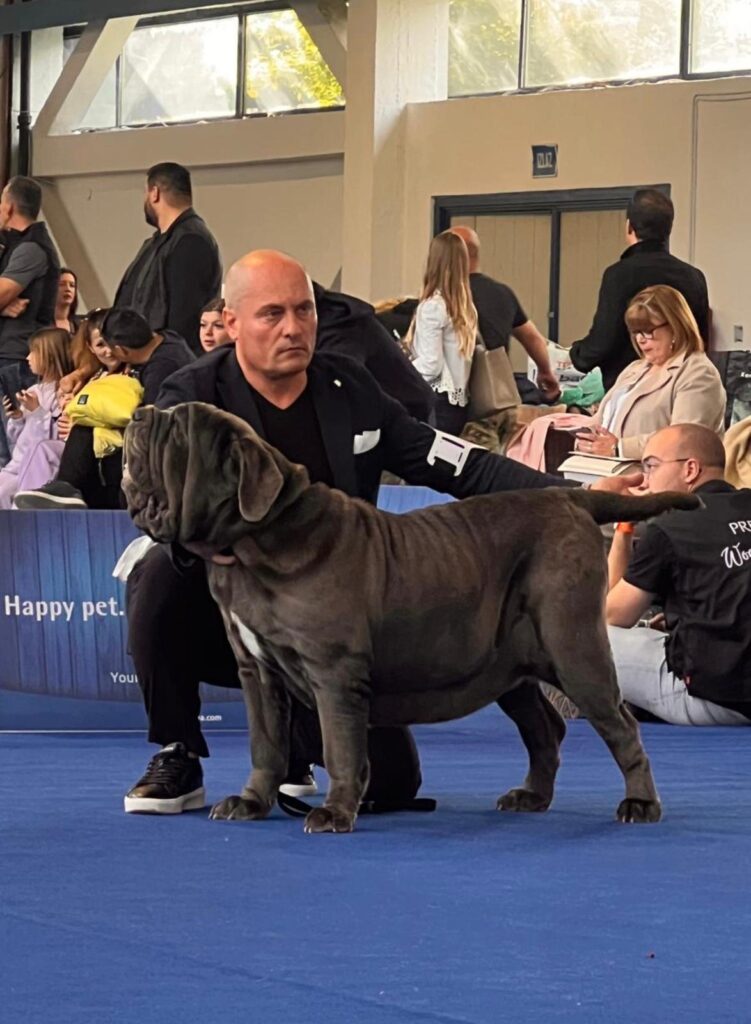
(543, 731)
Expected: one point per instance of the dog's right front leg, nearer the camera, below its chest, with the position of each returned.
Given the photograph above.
(344, 711)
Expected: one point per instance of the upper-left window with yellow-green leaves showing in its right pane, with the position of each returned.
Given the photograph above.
(198, 69)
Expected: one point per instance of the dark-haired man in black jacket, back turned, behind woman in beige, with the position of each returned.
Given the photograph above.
(646, 263)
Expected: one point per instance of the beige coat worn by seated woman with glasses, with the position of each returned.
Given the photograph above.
(686, 390)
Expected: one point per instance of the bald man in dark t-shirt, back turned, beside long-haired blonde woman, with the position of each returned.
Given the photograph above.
(502, 316)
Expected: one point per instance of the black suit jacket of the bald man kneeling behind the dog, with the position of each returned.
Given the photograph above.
(364, 431)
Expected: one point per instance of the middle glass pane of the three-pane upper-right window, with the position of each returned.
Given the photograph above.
(572, 41)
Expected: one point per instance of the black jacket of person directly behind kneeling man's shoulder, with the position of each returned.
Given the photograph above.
(350, 327)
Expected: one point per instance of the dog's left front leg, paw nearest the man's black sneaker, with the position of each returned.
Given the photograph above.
(268, 706)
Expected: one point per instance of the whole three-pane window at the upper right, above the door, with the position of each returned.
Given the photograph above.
(496, 46)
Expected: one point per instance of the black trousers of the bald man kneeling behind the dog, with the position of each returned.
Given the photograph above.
(178, 641)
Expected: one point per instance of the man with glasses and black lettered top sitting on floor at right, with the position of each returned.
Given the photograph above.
(697, 567)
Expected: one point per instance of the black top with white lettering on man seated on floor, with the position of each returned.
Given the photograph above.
(699, 567)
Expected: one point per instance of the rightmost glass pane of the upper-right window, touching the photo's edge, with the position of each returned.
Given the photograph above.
(722, 35)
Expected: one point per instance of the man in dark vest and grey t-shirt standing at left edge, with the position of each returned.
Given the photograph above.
(29, 273)
